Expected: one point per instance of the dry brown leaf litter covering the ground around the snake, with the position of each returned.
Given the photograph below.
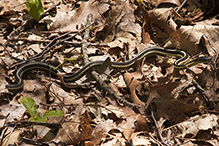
(157, 104)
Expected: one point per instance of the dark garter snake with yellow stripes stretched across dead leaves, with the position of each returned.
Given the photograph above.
(181, 63)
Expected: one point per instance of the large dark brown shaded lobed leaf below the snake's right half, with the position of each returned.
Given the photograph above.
(166, 105)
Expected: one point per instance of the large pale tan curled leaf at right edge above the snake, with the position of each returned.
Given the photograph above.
(198, 38)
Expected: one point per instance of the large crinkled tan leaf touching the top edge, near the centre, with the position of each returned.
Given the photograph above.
(120, 22)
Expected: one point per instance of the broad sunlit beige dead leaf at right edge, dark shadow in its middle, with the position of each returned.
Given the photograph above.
(190, 37)
